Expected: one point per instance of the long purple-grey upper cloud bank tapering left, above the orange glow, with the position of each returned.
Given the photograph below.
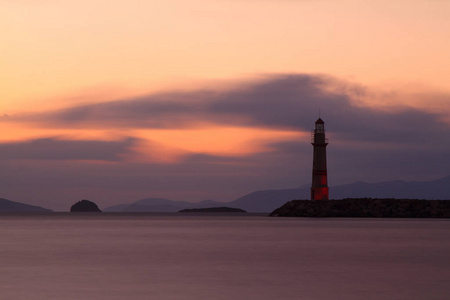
(284, 102)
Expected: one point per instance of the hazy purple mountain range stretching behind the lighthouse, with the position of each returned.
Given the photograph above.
(269, 200)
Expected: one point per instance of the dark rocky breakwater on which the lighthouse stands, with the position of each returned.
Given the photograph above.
(365, 208)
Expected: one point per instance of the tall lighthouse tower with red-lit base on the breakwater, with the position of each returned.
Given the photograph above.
(319, 187)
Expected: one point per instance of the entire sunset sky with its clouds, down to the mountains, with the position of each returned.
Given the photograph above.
(212, 99)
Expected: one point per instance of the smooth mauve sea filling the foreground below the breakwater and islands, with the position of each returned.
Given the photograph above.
(176, 256)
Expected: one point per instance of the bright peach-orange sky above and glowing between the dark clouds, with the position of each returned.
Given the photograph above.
(57, 54)
